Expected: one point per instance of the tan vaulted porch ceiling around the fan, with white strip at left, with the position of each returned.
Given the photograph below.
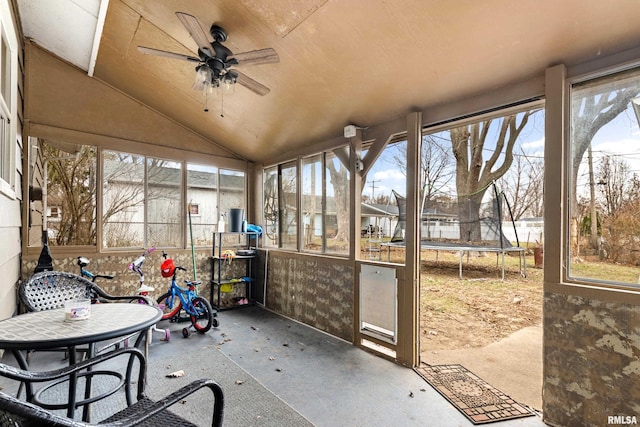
(355, 61)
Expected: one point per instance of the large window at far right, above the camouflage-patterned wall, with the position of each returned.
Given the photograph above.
(604, 194)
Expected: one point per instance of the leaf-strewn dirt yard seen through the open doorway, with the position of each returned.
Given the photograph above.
(480, 308)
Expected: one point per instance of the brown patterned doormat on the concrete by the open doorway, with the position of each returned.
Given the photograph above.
(478, 401)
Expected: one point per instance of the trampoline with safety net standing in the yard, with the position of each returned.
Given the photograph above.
(442, 228)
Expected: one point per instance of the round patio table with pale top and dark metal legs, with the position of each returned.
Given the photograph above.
(48, 330)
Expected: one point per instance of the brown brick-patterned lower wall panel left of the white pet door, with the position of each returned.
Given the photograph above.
(315, 290)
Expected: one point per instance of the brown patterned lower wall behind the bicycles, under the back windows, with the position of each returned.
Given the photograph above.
(126, 282)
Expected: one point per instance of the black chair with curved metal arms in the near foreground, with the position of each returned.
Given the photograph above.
(143, 412)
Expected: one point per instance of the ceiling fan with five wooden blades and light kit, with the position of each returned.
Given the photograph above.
(214, 60)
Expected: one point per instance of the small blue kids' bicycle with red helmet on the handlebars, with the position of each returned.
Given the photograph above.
(197, 308)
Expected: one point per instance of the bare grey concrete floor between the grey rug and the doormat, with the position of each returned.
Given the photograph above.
(329, 381)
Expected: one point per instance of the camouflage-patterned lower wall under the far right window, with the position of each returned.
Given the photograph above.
(591, 361)
